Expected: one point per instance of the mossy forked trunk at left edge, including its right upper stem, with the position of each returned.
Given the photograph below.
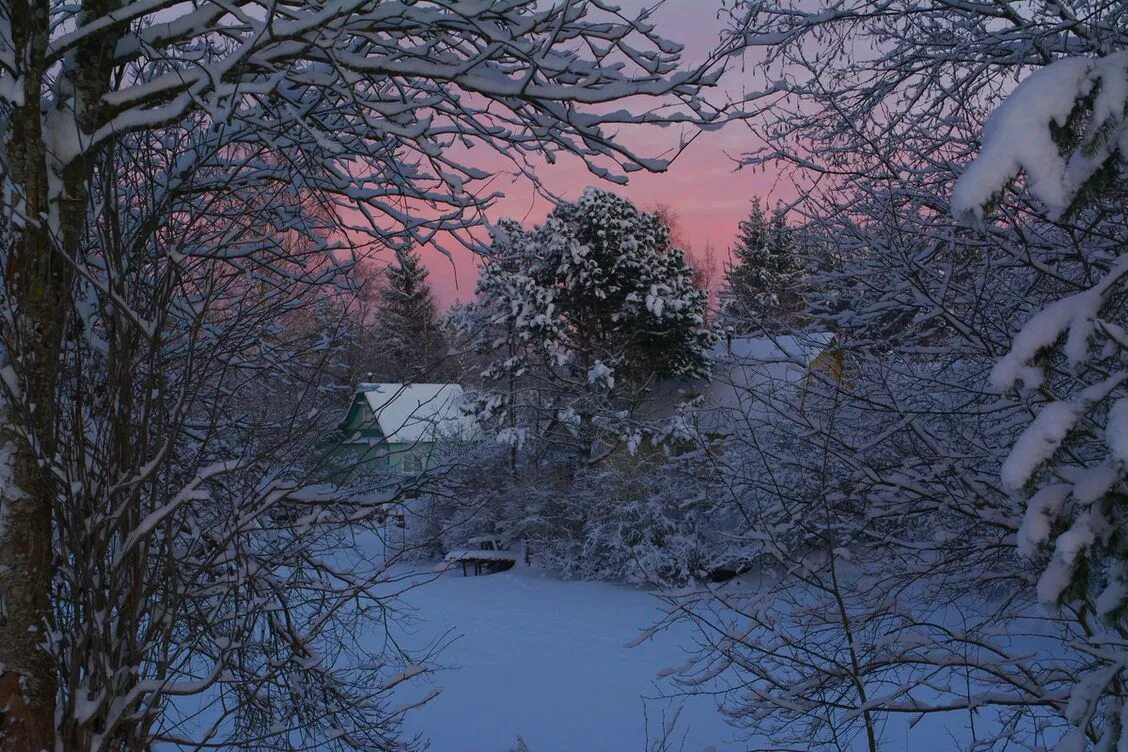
(38, 282)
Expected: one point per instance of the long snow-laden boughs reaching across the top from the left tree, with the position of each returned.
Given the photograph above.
(398, 67)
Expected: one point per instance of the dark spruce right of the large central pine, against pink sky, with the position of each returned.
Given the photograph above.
(764, 281)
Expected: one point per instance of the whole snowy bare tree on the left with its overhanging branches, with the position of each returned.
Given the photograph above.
(180, 183)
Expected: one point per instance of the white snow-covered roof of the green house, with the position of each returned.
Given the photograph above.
(411, 413)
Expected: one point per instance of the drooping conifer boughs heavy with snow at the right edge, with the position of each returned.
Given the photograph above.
(1065, 129)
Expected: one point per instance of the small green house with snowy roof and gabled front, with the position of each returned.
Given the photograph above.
(398, 428)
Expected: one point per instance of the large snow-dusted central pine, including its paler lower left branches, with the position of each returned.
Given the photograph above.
(579, 317)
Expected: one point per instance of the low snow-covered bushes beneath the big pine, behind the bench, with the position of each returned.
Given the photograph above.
(640, 521)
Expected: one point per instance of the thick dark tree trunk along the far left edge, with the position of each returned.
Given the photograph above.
(32, 285)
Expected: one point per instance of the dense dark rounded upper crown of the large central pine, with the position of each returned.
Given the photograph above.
(601, 286)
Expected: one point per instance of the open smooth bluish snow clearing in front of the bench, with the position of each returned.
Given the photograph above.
(549, 660)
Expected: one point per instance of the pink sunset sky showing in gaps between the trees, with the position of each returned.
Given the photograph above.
(703, 188)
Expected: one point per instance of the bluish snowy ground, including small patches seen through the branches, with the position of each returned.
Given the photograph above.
(560, 665)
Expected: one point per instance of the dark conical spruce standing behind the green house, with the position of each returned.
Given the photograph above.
(410, 343)
